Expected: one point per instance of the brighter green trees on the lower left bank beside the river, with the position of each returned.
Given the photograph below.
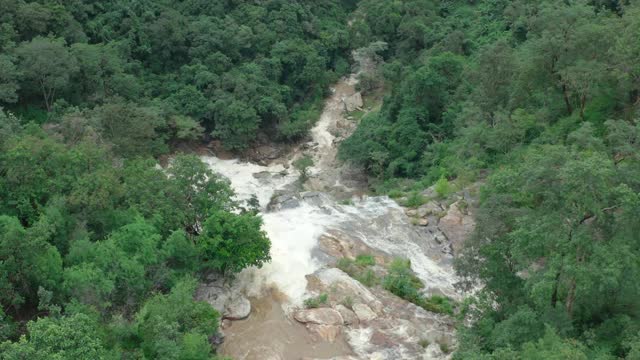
(101, 253)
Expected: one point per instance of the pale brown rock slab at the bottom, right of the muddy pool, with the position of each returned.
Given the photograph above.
(387, 327)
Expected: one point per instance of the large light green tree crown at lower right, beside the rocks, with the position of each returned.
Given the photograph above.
(553, 233)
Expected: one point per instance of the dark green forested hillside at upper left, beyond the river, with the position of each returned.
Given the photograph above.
(152, 70)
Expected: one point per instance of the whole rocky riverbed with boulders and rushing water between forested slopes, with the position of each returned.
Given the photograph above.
(312, 225)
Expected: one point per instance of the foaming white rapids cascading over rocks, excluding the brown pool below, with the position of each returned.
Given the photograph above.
(294, 232)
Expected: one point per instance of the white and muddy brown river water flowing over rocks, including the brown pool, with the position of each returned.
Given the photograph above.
(379, 222)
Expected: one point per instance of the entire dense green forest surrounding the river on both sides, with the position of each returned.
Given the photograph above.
(101, 249)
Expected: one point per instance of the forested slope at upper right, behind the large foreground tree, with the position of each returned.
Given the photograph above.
(473, 82)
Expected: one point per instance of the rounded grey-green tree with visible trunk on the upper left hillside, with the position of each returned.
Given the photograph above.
(47, 65)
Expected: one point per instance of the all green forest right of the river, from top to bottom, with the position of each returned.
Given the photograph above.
(544, 97)
